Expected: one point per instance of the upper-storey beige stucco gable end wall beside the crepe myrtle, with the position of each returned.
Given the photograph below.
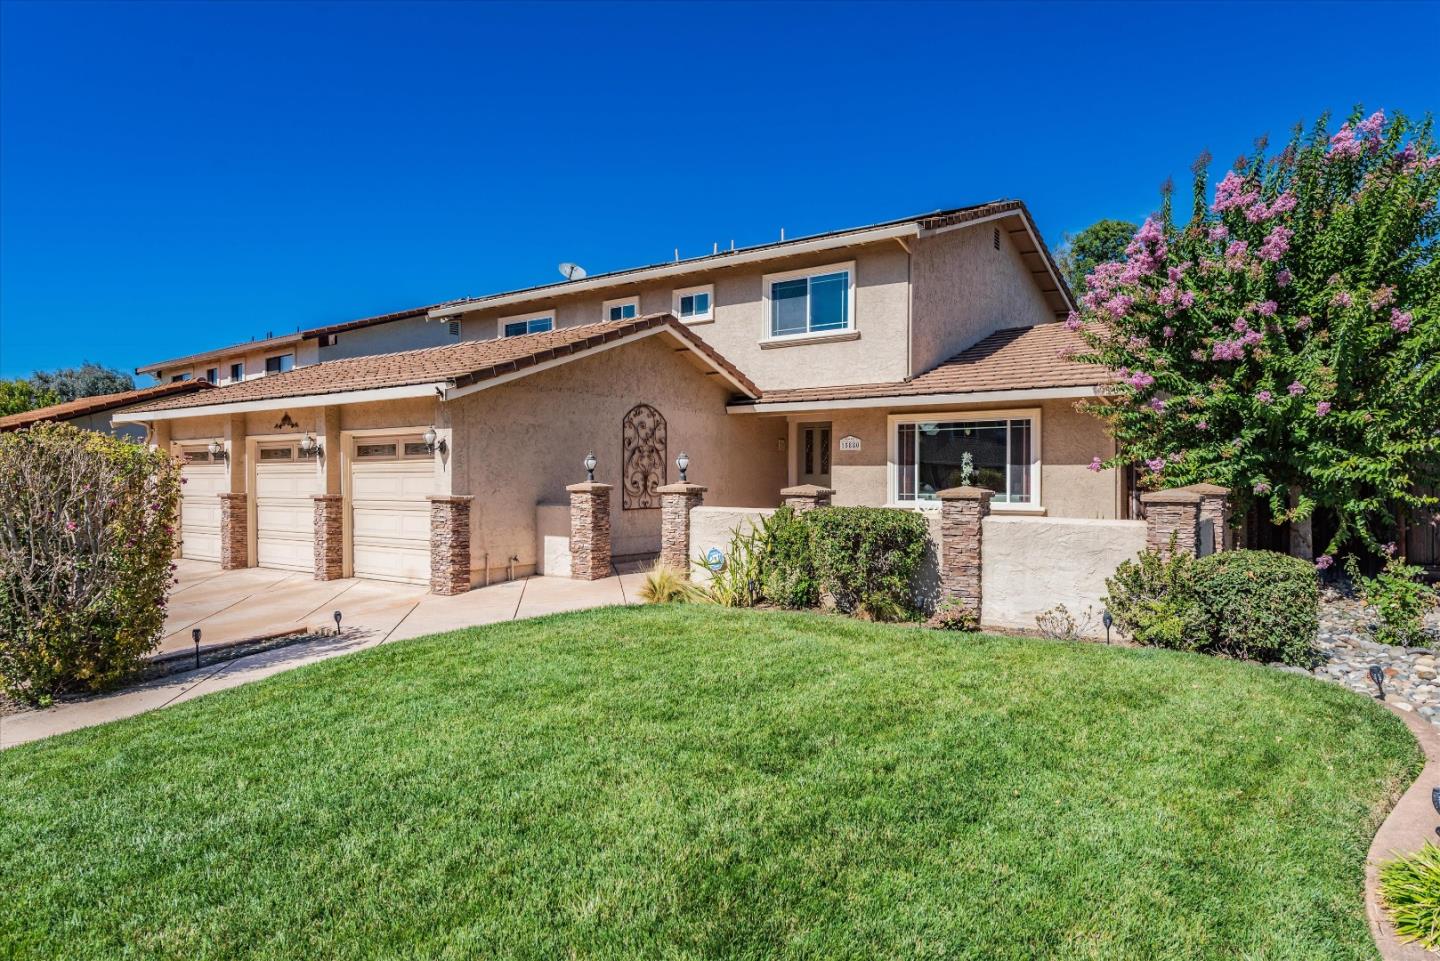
(966, 289)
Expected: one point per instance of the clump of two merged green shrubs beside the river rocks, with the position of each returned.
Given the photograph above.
(1251, 604)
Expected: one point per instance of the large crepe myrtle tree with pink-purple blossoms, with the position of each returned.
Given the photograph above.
(1285, 342)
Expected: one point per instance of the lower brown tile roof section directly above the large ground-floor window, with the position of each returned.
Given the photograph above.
(1019, 358)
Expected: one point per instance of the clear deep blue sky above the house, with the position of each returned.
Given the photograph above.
(184, 176)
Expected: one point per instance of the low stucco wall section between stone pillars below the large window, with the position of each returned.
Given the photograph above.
(1030, 566)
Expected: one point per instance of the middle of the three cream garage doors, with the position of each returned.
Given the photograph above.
(286, 485)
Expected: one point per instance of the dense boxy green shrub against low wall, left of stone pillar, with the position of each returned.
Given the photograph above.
(868, 558)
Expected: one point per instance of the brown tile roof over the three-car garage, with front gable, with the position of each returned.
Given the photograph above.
(462, 365)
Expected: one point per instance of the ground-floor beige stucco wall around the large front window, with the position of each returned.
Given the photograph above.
(1069, 440)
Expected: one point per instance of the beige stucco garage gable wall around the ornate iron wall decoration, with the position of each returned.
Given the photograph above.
(521, 444)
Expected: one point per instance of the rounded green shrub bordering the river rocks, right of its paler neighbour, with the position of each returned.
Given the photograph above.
(1259, 604)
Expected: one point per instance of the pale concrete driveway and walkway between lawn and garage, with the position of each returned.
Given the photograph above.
(231, 606)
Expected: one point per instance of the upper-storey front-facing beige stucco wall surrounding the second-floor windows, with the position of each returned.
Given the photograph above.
(882, 319)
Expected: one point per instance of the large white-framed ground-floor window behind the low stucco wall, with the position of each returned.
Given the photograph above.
(1000, 455)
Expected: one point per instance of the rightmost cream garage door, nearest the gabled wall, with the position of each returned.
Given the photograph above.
(390, 515)
